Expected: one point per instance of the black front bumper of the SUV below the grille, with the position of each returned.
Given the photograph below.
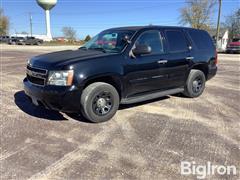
(65, 99)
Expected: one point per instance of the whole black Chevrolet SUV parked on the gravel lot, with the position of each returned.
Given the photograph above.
(122, 66)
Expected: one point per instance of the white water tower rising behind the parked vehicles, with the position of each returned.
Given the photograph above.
(47, 5)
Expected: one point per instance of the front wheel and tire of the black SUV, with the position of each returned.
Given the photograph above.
(100, 102)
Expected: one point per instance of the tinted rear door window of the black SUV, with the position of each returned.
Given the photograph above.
(176, 41)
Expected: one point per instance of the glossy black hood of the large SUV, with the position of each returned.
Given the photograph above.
(63, 57)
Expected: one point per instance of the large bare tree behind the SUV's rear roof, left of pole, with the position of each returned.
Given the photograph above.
(197, 13)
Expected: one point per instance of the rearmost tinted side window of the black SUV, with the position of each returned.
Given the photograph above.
(201, 39)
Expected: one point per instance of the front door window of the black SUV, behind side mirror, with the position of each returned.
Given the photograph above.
(152, 39)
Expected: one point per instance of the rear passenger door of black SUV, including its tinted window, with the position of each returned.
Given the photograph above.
(179, 57)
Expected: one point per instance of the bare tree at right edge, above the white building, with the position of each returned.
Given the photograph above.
(232, 23)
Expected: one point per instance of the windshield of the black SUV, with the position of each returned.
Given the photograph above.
(109, 41)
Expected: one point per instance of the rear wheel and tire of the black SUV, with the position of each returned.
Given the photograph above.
(195, 84)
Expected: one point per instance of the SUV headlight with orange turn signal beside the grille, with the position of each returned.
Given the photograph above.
(60, 78)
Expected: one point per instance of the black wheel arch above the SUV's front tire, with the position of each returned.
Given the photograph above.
(115, 82)
